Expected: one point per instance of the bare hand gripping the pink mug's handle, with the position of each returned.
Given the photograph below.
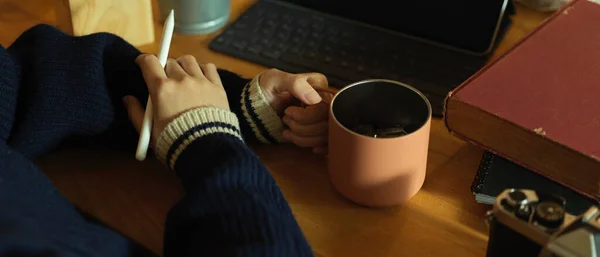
(307, 125)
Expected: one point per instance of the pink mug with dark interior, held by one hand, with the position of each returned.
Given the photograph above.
(378, 142)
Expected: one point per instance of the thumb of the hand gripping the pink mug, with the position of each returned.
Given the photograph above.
(303, 87)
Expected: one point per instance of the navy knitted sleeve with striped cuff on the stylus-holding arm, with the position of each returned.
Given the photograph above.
(232, 205)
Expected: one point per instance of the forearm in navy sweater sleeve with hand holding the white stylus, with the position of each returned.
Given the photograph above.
(232, 206)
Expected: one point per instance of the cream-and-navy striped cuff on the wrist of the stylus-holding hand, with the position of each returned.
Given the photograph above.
(192, 125)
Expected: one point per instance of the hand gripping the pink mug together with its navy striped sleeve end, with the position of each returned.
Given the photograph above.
(267, 111)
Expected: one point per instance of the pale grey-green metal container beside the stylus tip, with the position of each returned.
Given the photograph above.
(196, 16)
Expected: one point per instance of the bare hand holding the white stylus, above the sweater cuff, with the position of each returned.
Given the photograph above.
(181, 86)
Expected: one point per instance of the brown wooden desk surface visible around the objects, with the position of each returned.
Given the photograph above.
(132, 197)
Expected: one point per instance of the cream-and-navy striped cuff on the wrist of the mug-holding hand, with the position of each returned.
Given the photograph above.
(262, 118)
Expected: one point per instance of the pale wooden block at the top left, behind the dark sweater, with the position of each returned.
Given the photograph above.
(130, 19)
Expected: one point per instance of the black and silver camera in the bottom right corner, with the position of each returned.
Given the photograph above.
(530, 223)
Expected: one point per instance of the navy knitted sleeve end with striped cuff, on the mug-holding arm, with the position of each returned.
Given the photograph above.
(258, 120)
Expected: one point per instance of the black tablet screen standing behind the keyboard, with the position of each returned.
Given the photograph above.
(465, 24)
